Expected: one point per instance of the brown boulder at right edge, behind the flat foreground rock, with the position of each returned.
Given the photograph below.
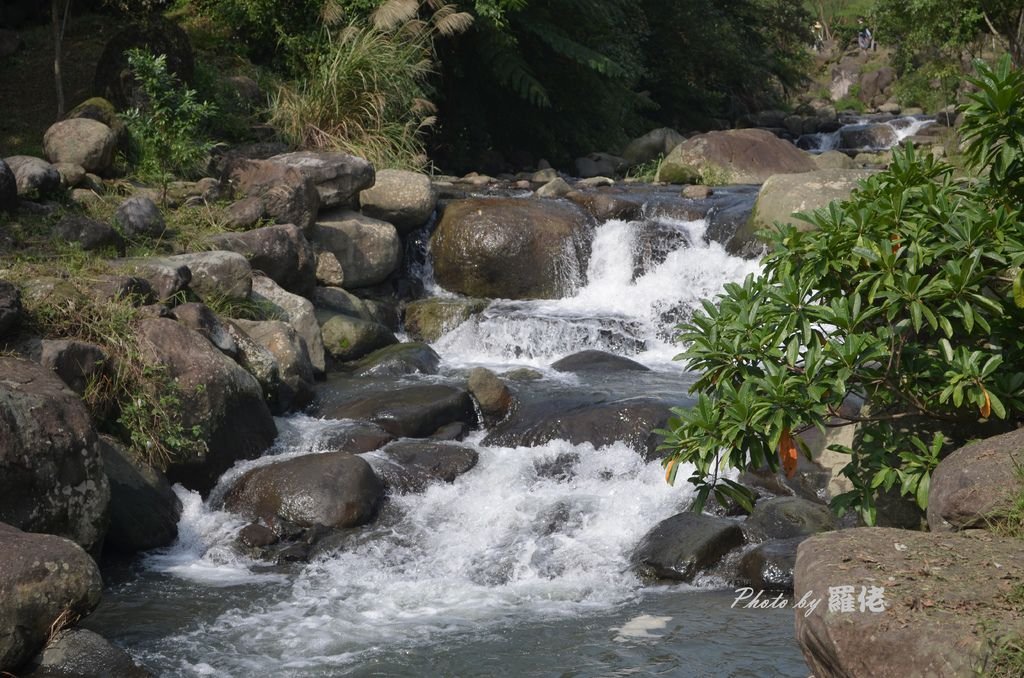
(977, 486)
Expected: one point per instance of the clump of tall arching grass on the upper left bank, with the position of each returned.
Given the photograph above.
(366, 93)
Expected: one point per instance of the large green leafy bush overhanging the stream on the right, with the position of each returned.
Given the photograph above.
(908, 298)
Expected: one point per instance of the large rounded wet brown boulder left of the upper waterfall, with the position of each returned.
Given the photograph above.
(513, 249)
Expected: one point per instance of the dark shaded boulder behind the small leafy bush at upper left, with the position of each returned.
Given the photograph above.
(156, 35)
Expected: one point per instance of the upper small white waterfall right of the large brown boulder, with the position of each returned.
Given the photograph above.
(643, 279)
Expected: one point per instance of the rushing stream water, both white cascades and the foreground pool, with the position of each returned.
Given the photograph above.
(511, 571)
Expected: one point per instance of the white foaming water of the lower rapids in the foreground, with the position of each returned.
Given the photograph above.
(503, 544)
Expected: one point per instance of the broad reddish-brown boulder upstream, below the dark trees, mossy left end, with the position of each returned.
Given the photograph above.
(736, 156)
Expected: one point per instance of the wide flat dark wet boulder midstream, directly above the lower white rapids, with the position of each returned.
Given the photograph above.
(632, 421)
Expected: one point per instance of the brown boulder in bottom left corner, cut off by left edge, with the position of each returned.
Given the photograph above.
(42, 579)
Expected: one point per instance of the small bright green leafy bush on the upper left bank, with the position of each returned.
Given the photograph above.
(167, 131)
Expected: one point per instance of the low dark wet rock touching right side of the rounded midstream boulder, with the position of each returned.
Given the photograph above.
(410, 467)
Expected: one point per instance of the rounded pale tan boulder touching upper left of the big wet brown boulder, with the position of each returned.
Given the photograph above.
(401, 198)
